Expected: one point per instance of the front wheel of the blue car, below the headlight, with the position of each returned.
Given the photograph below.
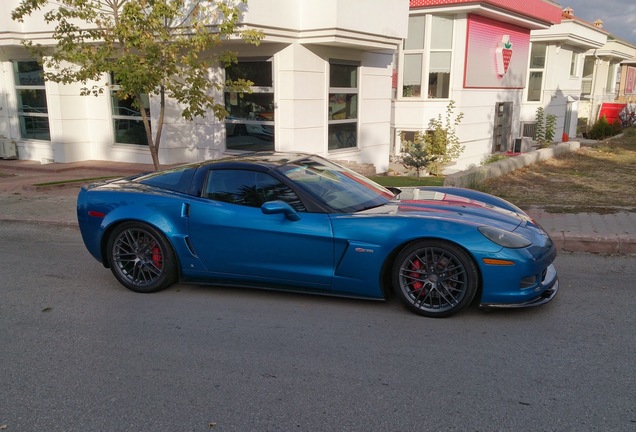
(435, 278)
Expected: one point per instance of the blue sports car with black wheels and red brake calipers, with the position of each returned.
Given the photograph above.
(299, 222)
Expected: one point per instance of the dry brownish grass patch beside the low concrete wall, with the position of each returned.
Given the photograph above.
(600, 179)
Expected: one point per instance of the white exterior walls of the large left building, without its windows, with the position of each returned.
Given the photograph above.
(300, 38)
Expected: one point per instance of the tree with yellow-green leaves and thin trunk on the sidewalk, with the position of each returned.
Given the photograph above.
(151, 47)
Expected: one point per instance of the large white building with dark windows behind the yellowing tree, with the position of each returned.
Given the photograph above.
(322, 85)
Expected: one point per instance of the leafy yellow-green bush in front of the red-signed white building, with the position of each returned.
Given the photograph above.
(436, 147)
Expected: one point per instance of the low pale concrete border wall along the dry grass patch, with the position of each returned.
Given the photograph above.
(478, 174)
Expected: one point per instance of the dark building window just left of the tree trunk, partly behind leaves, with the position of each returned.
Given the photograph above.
(127, 122)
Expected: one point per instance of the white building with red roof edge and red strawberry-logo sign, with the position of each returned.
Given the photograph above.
(476, 54)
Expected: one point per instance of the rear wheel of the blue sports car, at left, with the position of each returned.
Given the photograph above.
(141, 258)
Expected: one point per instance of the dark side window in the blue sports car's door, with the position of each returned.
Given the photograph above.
(248, 188)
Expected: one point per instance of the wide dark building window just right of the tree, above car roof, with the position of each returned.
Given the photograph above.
(250, 123)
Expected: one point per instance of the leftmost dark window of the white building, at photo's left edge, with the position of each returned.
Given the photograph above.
(31, 96)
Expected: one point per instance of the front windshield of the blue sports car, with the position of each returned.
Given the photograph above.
(343, 190)
